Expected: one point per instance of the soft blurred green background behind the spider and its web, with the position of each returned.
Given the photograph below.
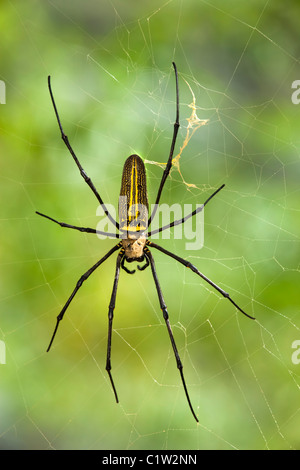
(110, 63)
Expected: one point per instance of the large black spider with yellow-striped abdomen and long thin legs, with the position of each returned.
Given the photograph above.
(134, 245)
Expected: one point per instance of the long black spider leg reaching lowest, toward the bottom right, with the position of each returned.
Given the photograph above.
(166, 318)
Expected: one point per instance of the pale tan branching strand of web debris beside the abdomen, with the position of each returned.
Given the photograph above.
(194, 123)
